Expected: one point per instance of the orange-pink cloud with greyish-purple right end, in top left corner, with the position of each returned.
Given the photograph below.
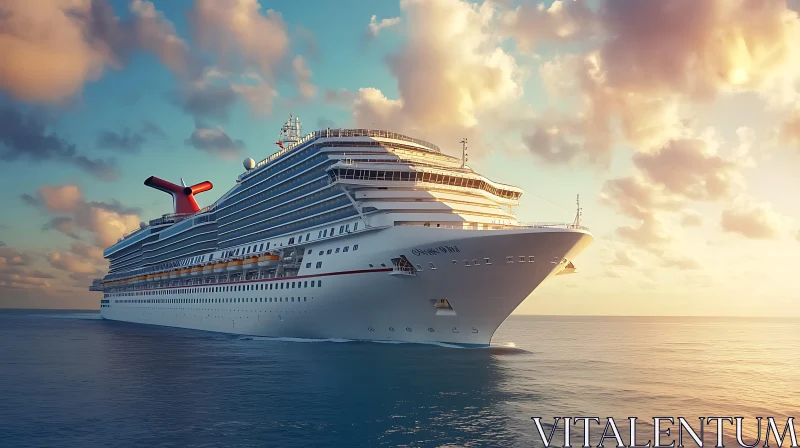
(50, 53)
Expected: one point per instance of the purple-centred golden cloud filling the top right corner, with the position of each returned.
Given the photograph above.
(698, 48)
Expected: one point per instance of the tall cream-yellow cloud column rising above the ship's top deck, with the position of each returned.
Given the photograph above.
(451, 70)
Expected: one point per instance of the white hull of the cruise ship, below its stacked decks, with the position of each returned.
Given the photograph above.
(361, 302)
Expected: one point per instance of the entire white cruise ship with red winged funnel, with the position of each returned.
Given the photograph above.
(355, 234)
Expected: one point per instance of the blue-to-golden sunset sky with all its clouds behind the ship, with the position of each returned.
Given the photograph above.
(677, 122)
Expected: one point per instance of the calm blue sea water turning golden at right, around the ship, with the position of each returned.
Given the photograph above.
(72, 379)
